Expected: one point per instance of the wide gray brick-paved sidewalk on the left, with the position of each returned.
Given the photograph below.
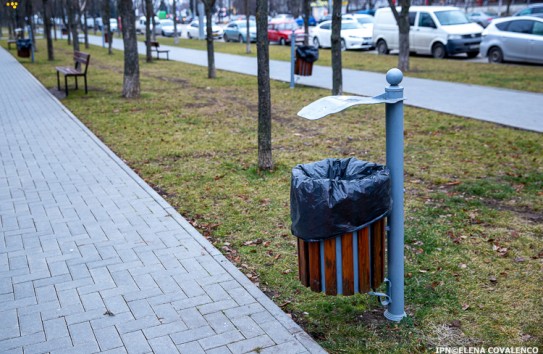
(93, 260)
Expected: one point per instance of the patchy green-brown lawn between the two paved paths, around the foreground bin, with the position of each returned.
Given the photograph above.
(474, 198)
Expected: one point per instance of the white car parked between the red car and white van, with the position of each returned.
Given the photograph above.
(353, 35)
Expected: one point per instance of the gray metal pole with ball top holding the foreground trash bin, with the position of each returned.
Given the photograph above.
(394, 156)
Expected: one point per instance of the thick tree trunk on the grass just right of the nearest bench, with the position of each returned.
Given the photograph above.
(131, 79)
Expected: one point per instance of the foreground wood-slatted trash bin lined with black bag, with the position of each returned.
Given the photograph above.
(338, 209)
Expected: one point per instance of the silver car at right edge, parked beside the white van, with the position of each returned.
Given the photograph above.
(518, 38)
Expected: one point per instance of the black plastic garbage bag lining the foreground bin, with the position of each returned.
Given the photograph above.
(335, 196)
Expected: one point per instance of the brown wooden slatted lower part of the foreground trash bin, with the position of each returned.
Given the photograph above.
(344, 265)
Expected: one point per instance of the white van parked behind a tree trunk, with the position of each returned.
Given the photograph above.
(435, 30)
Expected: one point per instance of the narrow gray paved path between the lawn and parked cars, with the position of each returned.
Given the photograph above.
(512, 108)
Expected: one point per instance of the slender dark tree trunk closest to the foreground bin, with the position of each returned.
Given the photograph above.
(265, 161)
